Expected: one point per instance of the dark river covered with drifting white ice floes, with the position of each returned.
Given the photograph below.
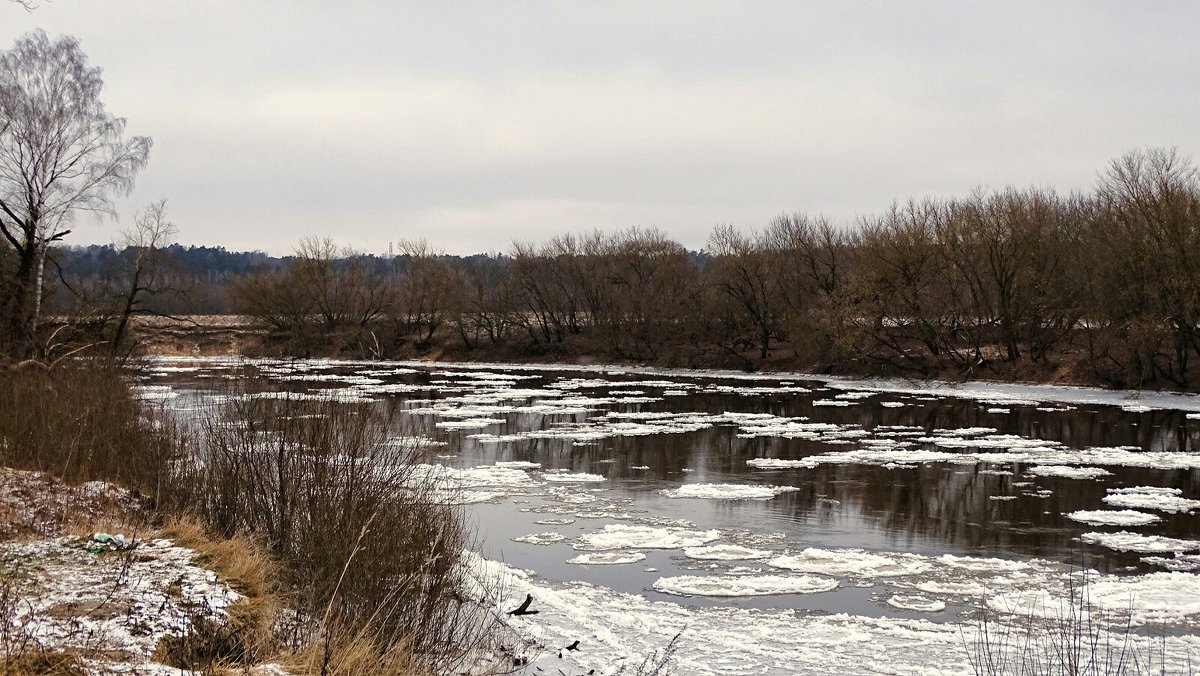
(701, 500)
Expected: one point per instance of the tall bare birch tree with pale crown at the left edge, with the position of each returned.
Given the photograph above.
(62, 153)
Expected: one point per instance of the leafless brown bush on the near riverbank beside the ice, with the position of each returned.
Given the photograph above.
(371, 553)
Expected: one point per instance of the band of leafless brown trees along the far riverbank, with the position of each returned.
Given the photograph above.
(1101, 288)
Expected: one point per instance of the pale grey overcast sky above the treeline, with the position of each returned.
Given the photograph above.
(473, 125)
